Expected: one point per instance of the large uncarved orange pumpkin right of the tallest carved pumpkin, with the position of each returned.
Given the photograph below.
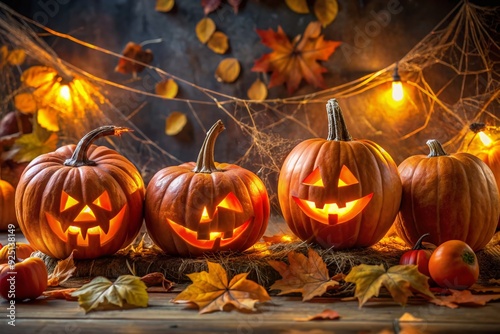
(449, 196)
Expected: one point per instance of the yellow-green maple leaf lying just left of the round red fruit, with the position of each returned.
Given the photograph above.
(399, 281)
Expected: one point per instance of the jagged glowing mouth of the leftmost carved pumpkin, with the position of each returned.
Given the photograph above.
(87, 229)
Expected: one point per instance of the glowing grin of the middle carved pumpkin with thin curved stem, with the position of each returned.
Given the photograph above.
(216, 241)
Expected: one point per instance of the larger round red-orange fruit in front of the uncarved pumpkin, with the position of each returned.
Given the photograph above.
(453, 264)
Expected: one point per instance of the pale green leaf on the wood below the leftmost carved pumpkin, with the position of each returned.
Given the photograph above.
(102, 294)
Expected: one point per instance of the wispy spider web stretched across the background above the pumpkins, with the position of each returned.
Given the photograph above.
(451, 80)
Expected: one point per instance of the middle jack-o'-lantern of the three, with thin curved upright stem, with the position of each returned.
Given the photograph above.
(205, 206)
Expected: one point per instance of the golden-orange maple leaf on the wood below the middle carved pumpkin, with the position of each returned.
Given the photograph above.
(212, 292)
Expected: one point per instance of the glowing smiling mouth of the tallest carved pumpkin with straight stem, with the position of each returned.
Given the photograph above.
(330, 213)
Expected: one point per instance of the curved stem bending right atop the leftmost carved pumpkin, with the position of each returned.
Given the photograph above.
(79, 157)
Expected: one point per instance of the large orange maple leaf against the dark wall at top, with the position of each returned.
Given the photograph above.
(291, 62)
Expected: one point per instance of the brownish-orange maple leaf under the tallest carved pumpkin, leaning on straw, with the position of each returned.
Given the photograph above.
(307, 275)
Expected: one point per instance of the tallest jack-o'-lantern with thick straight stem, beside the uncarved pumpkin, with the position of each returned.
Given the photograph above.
(339, 192)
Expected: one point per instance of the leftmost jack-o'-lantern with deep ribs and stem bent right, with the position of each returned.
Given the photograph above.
(85, 197)
